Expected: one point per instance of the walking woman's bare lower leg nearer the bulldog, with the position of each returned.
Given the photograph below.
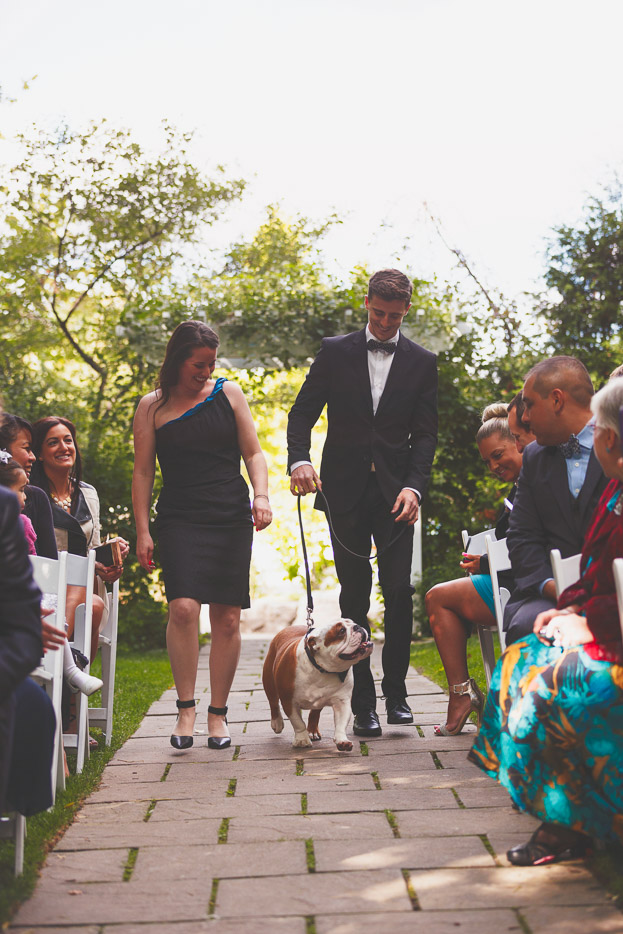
(224, 656)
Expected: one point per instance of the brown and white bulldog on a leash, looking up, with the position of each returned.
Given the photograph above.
(311, 669)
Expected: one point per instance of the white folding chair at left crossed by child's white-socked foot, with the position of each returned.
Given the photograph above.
(81, 573)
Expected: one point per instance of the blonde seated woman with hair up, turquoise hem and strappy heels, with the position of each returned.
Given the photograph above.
(454, 607)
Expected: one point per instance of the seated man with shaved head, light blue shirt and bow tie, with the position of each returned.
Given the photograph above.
(558, 489)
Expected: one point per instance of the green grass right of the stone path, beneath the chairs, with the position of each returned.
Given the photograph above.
(605, 864)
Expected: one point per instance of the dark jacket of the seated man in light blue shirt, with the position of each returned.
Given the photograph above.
(545, 515)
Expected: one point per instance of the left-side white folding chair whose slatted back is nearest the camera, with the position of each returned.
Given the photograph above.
(51, 577)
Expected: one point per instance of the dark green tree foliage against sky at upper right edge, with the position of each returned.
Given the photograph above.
(586, 272)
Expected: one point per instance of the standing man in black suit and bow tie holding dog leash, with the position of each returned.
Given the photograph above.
(380, 390)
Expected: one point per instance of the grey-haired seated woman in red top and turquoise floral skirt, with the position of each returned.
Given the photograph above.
(553, 727)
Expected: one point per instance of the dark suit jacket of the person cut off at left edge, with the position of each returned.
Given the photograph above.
(20, 621)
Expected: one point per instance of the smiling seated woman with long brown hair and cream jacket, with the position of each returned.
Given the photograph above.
(75, 508)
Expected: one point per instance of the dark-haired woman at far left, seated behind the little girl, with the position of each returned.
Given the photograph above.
(16, 439)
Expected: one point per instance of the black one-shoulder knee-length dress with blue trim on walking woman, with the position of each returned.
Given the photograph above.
(204, 525)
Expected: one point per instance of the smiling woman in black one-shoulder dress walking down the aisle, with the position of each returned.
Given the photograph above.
(199, 428)
